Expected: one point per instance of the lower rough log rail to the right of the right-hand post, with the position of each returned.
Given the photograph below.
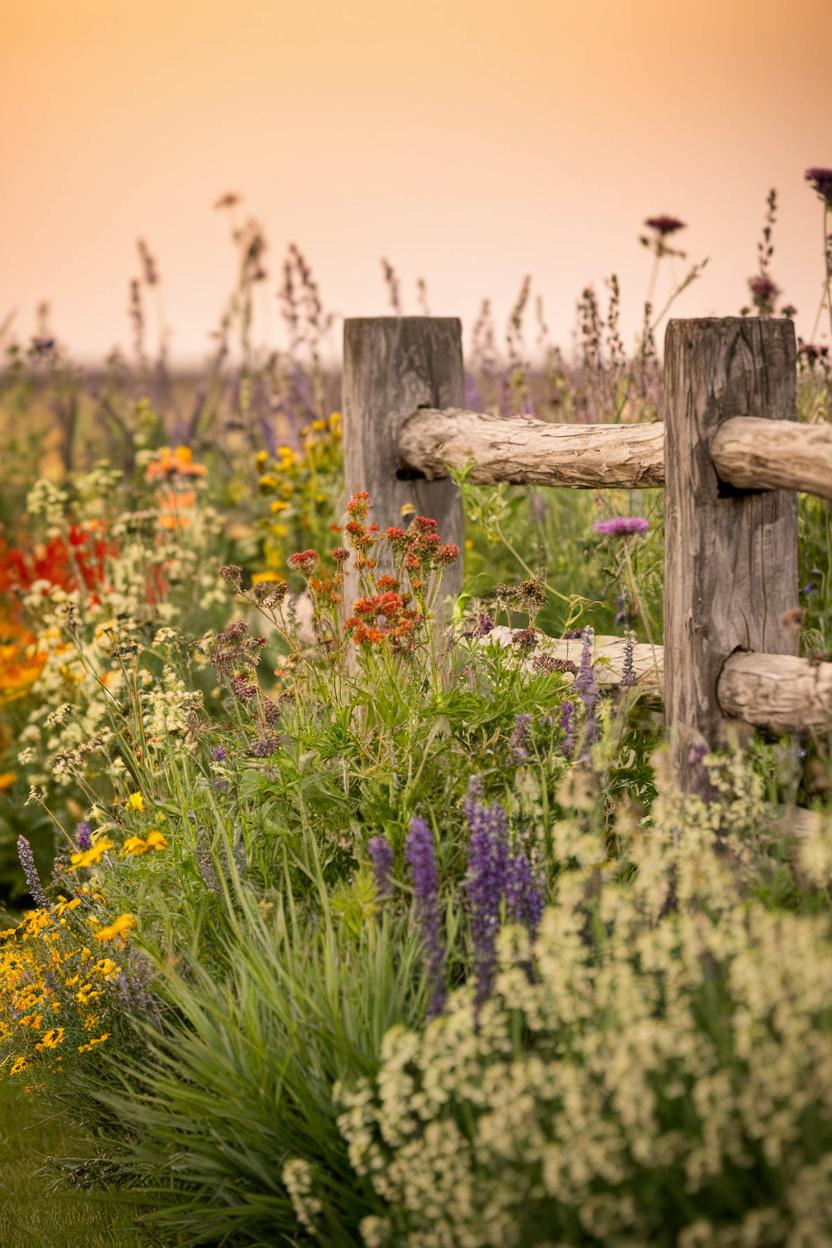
(778, 692)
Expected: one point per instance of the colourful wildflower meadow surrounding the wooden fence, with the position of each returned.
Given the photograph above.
(341, 908)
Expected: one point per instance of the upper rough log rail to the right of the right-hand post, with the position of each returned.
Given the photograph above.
(752, 454)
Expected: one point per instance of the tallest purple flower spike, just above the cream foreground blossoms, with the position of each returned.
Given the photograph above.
(486, 884)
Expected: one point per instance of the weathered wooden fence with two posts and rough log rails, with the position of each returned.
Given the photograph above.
(729, 455)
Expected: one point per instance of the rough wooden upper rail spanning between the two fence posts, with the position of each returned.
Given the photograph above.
(525, 451)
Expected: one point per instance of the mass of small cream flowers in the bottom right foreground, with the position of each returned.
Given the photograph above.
(658, 1069)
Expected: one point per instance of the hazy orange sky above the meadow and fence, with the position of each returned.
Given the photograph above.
(471, 142)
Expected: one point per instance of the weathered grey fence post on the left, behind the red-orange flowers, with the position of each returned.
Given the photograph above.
(392, 368)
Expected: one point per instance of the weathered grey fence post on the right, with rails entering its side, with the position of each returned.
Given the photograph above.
(730, 556)
